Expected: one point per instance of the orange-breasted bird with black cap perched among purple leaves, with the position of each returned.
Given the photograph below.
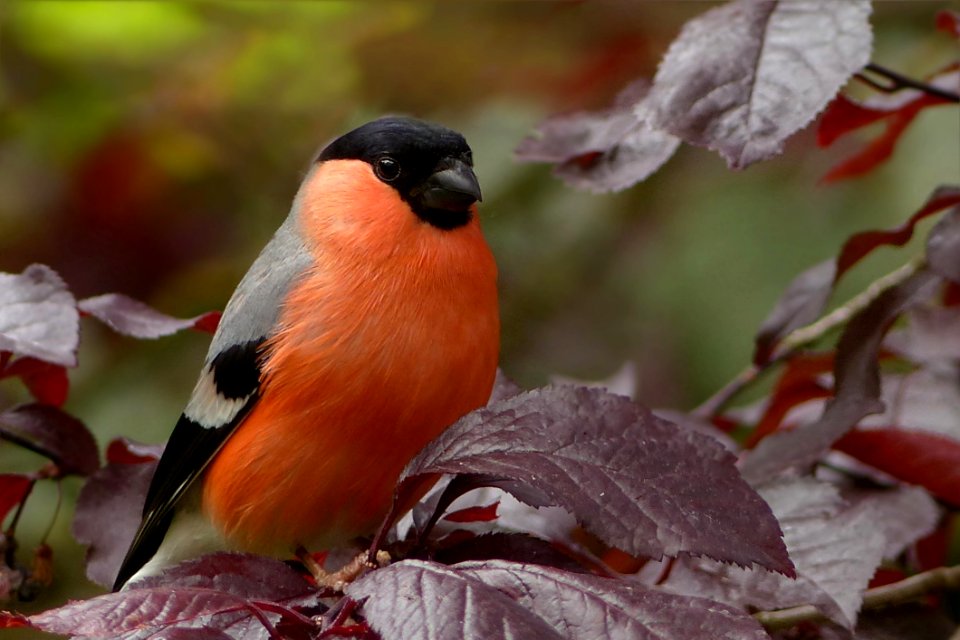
(367, 325)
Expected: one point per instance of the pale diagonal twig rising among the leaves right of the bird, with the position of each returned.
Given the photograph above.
(802, 336)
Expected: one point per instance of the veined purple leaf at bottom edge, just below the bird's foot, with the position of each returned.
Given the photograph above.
(417, 599)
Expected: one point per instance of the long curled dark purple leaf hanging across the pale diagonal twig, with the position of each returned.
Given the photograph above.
(857, 385)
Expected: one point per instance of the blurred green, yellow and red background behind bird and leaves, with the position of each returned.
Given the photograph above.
(151, 148)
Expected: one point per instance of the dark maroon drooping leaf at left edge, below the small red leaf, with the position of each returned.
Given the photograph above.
(54, 434)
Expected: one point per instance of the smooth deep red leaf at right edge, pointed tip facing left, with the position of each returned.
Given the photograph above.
(930, 460)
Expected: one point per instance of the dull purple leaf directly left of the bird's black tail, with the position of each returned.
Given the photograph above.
(113, 495)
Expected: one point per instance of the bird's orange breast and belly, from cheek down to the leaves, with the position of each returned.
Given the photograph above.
(389, 339)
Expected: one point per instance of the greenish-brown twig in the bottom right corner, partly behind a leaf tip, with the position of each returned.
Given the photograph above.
(889, 594)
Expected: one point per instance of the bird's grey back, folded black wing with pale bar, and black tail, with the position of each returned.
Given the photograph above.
(228, 387)
